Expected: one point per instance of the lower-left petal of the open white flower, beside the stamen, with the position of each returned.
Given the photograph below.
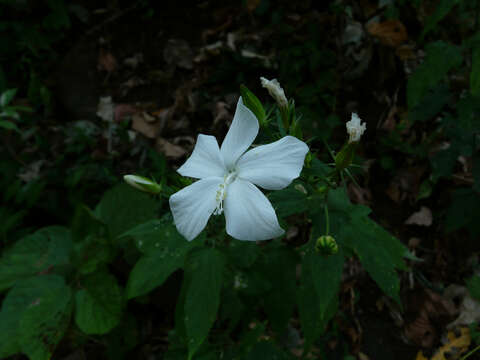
(192, 206)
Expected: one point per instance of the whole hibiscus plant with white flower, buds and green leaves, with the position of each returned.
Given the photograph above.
(249, 240)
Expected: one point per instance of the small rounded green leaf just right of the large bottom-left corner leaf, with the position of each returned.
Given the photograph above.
(98, 304)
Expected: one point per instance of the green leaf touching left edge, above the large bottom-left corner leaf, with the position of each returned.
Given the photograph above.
(46, 250)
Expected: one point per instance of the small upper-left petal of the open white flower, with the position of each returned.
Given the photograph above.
(205, 160)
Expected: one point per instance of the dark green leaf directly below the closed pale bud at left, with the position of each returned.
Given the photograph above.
(123, 207)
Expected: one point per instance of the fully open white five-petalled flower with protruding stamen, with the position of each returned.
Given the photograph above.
(228, 176)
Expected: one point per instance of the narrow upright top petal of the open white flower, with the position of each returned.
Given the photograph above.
(240, 136)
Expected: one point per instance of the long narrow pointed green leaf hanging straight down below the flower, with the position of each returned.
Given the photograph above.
(204, 268)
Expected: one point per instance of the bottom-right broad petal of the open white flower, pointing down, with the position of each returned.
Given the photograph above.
(249, 214)
